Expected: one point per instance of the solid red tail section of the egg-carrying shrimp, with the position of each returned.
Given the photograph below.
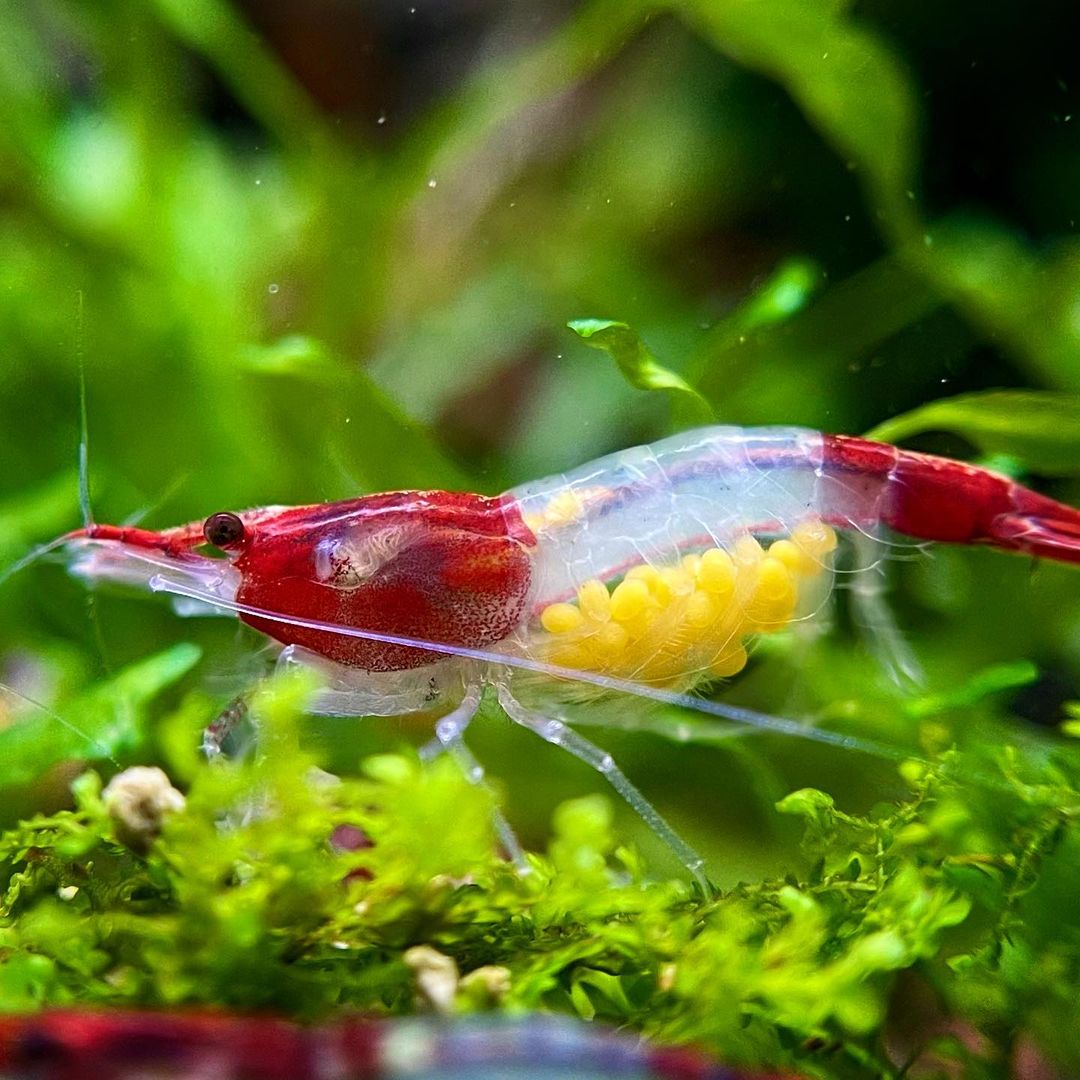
(936, 499)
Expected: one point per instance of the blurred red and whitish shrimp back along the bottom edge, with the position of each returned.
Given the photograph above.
(133, 1046)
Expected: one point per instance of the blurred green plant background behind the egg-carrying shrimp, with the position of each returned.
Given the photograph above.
(308, 250)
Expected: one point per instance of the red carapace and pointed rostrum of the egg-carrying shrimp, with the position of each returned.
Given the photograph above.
(445, 566)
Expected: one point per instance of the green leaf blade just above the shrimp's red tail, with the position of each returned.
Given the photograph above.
(1041, 428)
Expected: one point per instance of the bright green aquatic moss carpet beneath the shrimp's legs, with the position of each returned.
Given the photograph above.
(280, 887)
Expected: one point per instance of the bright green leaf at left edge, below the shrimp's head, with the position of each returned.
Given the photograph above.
(99, 724)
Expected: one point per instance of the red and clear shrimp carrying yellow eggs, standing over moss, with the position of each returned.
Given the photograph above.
(647, 572)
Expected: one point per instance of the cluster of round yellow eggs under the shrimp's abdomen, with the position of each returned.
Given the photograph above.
(668, 626)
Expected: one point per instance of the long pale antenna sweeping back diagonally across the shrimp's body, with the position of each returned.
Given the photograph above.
(750, 718)
